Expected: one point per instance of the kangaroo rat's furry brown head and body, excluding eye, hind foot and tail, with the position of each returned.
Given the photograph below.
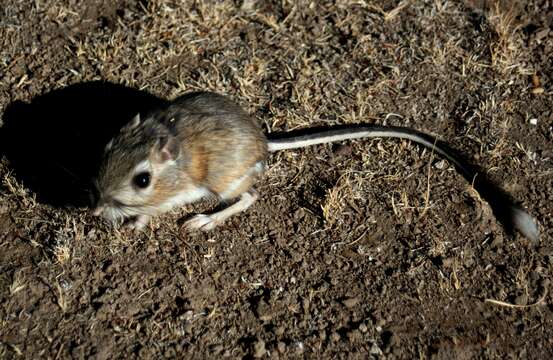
(201, 142)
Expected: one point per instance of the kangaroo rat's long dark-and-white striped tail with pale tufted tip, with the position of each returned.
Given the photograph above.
(509, 214)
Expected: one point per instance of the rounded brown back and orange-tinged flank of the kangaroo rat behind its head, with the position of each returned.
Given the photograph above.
(220, 140)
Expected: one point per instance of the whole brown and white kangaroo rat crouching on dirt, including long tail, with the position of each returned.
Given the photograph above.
(204, 144)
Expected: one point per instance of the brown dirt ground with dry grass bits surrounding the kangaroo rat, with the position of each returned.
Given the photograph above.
(373, 248)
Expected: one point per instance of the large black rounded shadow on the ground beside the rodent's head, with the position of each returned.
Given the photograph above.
(54, 144)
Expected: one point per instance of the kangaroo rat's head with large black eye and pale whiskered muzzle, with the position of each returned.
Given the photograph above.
(138, 170)
